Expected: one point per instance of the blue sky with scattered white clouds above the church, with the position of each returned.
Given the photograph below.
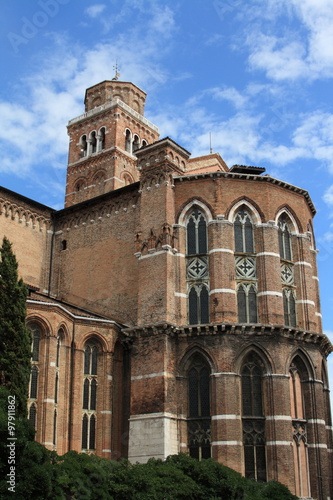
(256, 74)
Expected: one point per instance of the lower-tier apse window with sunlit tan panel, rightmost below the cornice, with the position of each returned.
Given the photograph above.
(298, 373)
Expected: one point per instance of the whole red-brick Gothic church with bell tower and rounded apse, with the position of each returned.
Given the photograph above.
(174, 305)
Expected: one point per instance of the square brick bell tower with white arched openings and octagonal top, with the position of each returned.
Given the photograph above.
(104, 140)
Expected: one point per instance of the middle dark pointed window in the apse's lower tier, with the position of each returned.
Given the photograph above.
(253, 419)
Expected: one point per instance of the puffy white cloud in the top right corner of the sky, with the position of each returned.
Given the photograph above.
(302, 53)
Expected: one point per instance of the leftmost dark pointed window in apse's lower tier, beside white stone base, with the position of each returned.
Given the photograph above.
(199, 418)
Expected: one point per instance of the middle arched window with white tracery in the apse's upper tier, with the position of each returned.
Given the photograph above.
(245, 264)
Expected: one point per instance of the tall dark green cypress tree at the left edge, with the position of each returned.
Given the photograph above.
(15, 337)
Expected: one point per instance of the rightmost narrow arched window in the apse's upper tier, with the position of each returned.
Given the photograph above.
(287, 272)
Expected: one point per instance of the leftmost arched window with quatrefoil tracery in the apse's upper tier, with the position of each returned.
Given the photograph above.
(197, 271)
